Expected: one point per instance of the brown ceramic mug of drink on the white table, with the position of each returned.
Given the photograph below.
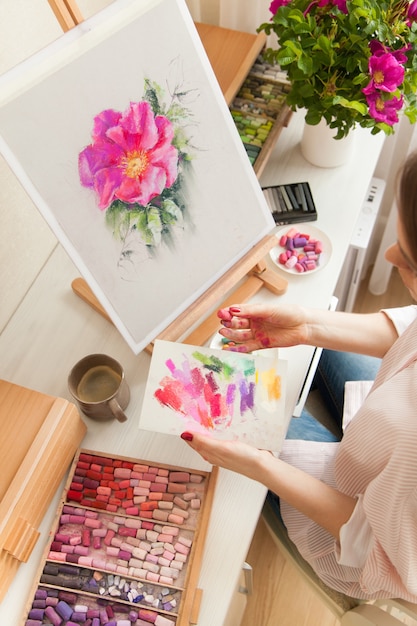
(98, 384)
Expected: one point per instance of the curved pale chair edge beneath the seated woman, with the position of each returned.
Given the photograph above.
(349, 611)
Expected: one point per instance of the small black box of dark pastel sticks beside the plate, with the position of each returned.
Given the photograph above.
(290, 204)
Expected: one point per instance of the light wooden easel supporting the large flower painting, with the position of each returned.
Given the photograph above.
(251, 271)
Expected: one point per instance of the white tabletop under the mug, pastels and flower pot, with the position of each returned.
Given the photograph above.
(53, 328)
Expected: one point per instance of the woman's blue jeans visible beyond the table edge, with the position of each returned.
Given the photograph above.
(334, 369)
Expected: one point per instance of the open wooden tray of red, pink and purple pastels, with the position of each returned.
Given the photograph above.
(126, 546)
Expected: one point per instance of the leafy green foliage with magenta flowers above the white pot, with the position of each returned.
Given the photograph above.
(349, 62)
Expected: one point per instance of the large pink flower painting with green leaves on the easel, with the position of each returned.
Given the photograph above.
(120, 134)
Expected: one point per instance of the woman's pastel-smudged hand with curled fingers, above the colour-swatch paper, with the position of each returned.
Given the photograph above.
(255, 326)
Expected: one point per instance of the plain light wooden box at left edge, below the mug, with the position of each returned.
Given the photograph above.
(39, 436)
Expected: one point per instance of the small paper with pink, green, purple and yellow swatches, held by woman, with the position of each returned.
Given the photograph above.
(227, 395)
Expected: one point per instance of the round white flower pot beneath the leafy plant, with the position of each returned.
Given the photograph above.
(319, 147)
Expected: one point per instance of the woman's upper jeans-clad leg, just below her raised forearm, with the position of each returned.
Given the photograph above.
(334, 370)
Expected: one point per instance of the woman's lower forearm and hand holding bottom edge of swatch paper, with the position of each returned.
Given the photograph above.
(323, 504)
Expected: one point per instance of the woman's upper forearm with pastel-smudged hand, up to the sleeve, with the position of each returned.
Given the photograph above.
(255, 326)
